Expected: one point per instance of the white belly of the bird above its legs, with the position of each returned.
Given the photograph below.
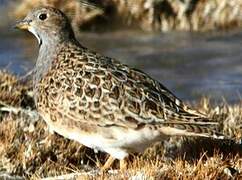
(122, 142)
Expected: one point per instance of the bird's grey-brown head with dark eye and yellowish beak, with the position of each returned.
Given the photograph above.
(47, 23)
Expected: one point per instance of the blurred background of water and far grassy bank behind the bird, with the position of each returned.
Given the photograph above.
(194, 47)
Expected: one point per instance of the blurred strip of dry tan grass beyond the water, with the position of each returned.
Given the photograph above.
(161, 15)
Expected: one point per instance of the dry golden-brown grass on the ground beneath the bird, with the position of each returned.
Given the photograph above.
(28, 150)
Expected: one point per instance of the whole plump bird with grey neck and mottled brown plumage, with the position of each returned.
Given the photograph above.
(99, 101)
